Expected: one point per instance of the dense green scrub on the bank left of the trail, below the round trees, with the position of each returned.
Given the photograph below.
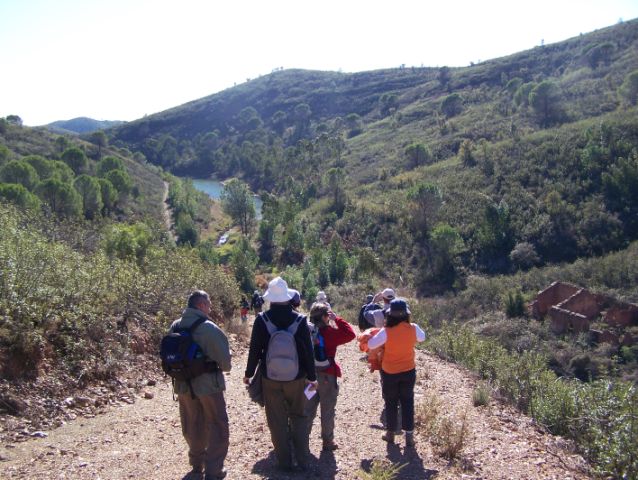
(87, 311)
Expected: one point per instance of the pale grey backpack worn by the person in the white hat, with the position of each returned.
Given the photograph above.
(282, 359)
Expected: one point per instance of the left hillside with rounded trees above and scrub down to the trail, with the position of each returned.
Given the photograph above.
(89, 277)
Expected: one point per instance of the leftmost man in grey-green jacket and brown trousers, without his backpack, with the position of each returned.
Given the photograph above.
(202, 408)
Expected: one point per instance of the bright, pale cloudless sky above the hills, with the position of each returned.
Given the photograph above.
(123, 59)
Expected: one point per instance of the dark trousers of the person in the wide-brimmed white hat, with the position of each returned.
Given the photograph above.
(284, 403)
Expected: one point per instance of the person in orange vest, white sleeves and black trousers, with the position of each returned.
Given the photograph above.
(398, 368)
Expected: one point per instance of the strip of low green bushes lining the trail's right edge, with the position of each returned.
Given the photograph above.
(600, 416)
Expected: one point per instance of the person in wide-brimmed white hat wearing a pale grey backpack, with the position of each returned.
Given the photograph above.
(283, 388)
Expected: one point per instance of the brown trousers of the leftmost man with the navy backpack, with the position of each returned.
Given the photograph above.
(205, 428)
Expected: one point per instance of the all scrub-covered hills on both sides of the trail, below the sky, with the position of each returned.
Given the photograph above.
(468, 190)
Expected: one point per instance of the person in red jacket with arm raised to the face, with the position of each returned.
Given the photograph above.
(329, 331)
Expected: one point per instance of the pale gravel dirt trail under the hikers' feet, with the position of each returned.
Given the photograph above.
(143, 440)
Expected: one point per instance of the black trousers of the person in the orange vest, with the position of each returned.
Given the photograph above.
(398, 388)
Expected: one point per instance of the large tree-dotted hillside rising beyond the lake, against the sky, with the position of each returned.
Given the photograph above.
(525, 155)
